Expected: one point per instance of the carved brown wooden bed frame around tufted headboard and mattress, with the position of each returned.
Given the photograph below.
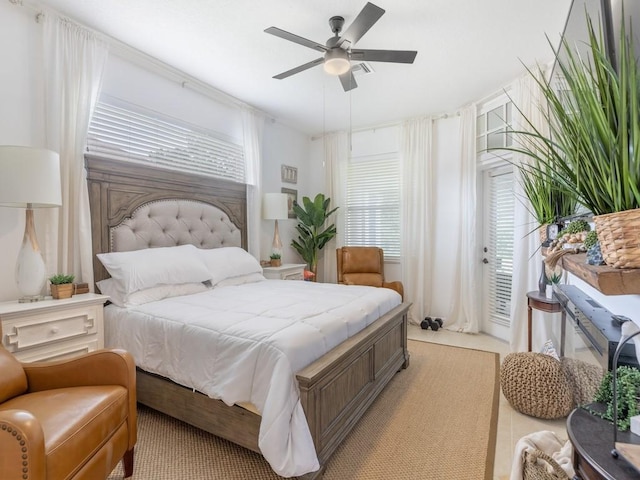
(335, 390)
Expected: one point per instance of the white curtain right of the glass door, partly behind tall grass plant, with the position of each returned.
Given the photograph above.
(527, 257)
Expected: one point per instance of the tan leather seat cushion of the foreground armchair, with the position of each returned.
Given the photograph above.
(76, 422)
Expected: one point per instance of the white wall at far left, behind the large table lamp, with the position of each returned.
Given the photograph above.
(21, 118)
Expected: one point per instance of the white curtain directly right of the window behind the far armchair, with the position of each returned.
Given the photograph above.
(417, 215)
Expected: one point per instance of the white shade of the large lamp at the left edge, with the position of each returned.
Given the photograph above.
(29, 177)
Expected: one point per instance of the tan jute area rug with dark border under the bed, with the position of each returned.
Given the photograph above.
(435, 420)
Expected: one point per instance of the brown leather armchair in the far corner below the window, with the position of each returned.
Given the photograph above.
(364, 266)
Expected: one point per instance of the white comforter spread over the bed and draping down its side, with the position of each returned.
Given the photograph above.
(245, 343)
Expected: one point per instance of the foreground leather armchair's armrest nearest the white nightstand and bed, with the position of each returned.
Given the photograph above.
(102, 367)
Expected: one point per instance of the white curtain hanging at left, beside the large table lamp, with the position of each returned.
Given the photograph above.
(74, 60)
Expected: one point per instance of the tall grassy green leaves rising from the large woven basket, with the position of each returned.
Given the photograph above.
(593, 147)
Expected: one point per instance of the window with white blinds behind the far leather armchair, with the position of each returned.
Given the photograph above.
(372, 215)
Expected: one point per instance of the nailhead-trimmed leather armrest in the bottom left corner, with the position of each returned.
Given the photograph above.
(22, 446)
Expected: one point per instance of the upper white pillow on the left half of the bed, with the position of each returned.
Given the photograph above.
(141, 269)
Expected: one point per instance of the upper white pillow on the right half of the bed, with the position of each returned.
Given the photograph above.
(228, 262)
